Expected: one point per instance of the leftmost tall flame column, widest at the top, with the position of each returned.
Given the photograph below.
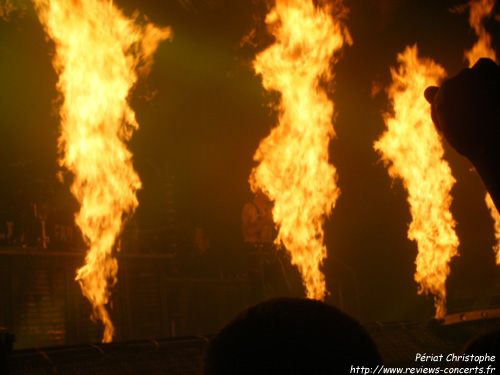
(98, 54)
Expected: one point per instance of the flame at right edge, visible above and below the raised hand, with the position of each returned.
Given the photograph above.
(479, 10)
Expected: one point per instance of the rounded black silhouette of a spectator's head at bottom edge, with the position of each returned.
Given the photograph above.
(290, 336)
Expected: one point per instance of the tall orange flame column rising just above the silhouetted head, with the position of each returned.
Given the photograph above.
(294, 170)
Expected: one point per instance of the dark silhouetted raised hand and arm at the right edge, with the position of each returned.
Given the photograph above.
(466, 110)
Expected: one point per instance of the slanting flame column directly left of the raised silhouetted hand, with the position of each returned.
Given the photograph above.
(412, 149)
